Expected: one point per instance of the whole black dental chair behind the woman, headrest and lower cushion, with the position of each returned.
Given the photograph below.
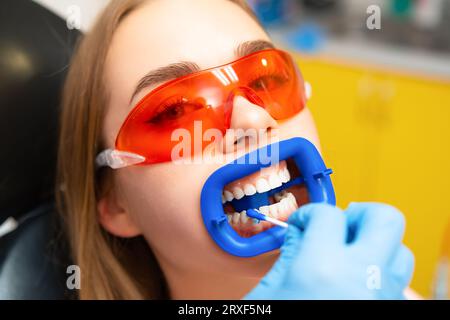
(35, 48)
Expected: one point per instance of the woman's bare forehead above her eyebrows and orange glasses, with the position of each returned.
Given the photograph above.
(206, 32)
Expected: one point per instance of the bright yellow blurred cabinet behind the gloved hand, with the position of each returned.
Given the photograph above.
(387, 137)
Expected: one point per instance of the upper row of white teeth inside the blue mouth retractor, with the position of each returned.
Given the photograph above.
(261, 185)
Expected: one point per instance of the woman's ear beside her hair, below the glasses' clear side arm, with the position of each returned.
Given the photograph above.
(114, 217)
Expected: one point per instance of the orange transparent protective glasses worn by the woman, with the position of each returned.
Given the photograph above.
(267, 78)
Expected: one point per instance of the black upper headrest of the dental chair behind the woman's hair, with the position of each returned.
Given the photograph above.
(35, 47)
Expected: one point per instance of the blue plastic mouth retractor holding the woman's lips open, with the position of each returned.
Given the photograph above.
(313, 174)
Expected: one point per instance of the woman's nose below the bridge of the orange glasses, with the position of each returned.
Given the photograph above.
(249, 123)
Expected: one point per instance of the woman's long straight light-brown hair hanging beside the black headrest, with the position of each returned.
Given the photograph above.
(111, 267)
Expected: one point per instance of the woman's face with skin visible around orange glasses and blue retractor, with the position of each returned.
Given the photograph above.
(162, 201)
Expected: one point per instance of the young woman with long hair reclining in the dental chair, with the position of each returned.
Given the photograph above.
(137, 232)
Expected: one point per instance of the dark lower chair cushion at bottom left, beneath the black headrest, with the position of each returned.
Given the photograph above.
(34, 258)
